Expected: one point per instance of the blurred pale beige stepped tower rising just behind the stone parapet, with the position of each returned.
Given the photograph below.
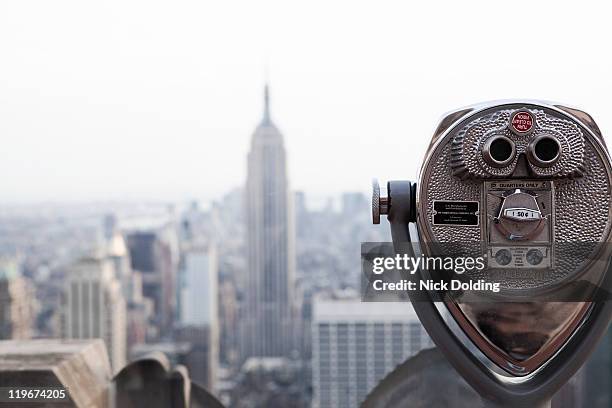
(94, 307)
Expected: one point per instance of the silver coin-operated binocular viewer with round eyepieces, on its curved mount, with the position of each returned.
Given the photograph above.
(526, 186)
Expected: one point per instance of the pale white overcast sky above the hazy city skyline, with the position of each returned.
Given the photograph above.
(158, 100)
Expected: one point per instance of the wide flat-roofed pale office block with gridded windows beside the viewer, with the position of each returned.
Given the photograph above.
(355, 344)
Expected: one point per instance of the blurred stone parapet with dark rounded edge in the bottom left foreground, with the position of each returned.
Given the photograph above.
(83, 368)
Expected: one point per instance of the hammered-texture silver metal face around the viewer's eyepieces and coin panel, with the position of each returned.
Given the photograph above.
(455, 170)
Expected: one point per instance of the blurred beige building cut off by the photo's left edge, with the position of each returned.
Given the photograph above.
(17, 303)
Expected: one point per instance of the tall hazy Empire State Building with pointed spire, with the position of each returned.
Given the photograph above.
(269, 307)
